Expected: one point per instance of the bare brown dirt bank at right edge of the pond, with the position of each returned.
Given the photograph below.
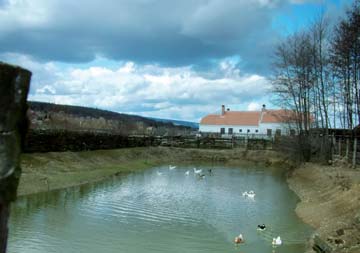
(330, 202)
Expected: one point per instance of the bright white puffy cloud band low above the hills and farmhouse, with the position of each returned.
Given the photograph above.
(148, 90)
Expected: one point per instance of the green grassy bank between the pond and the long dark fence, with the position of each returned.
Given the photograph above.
(56, 170)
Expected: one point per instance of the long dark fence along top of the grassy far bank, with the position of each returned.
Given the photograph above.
(59, 140)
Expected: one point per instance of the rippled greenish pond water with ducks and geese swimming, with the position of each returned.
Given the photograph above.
(162, 210)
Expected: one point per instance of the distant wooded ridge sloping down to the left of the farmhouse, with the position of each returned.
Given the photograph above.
(56, 116)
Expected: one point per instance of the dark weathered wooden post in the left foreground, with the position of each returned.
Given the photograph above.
(14, 86)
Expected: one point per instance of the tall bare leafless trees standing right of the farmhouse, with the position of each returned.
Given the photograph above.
(315, 72)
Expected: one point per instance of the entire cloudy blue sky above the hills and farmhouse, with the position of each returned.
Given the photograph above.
(173, 59)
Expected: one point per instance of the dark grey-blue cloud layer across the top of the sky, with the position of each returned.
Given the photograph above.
(170, 33)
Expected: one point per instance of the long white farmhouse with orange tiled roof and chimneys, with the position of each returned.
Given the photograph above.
(264, 122)
